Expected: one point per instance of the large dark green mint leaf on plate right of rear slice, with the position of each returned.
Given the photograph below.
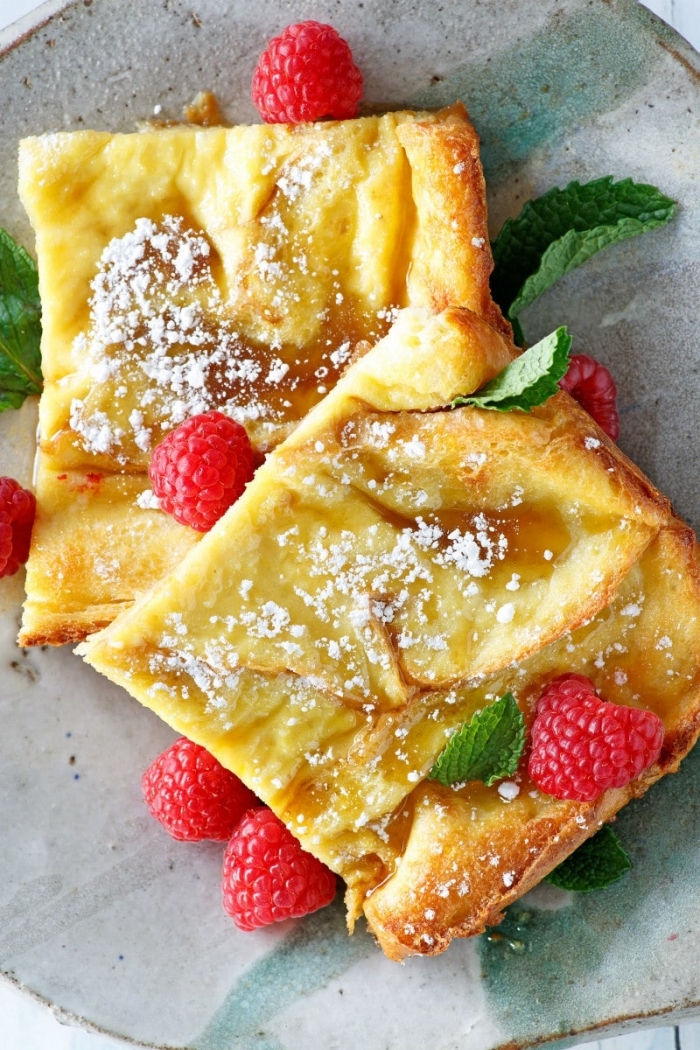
(564, 228)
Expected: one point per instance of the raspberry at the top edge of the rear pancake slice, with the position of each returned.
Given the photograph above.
(306, 73)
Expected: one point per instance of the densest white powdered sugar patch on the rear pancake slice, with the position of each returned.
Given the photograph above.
(158, 326)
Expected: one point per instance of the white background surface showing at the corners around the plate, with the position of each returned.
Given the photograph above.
(27, 1025)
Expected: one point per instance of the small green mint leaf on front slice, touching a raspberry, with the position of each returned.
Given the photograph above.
(489, 748)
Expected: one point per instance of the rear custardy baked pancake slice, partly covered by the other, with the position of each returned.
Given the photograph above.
(184, 269)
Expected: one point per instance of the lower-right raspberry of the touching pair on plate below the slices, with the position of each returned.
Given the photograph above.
(268, 877)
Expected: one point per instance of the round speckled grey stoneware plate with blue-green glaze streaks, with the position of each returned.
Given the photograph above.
(101, 915)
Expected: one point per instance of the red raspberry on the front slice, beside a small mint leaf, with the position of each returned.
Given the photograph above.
(582, 746)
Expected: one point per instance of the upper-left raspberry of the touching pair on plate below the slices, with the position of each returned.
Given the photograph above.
(192, 794)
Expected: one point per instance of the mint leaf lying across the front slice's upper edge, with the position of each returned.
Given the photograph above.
(529, 381)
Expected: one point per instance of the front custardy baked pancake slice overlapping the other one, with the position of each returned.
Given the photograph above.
(395, 566)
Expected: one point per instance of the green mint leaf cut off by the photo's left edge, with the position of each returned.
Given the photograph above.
(20, 325)
